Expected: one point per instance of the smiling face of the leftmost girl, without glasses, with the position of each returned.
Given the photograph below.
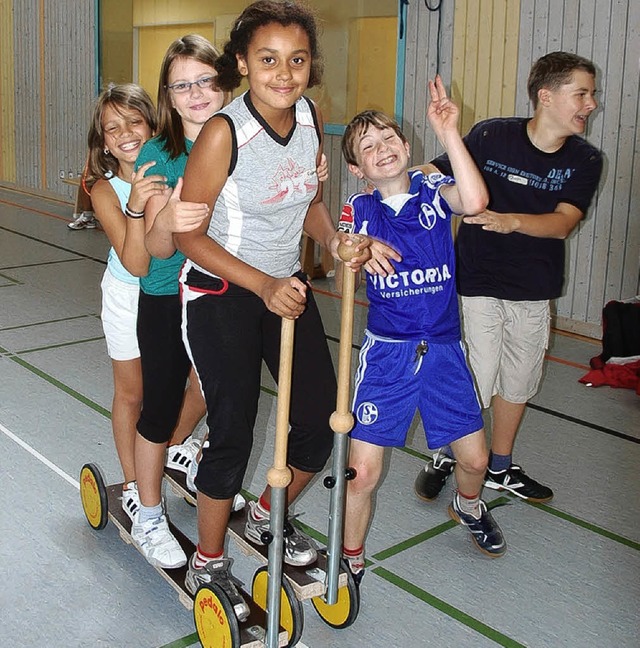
(125, 130)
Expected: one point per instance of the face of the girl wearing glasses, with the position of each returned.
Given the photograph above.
(196, 105)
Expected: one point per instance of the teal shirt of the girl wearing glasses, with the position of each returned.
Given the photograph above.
(162, 278)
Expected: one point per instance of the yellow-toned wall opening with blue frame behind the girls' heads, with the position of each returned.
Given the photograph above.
(359, 41)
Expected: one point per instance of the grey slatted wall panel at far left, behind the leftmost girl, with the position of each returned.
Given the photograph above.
(53, 66)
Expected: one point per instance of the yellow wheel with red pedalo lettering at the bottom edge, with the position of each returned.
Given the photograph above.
(216, 622)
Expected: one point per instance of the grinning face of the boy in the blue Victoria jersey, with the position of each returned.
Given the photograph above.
(382, 155)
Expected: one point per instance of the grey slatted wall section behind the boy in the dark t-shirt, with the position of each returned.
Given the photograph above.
(603, 254)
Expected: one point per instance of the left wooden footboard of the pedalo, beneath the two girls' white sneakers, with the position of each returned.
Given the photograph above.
(251, 631)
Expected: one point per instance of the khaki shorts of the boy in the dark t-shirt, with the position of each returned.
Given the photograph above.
(506, 343)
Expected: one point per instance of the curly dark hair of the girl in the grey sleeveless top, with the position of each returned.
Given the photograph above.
(256, 15)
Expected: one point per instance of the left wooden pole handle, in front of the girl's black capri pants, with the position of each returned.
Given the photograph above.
(279, 475)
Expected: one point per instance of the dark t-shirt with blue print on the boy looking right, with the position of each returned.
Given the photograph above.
(521, 179)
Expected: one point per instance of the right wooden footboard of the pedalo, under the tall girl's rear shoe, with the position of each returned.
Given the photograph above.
(307, 582)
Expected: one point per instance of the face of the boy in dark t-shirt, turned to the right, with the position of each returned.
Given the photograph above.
(570, 105)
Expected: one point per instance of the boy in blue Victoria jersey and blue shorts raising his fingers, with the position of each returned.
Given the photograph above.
(412, 356)
